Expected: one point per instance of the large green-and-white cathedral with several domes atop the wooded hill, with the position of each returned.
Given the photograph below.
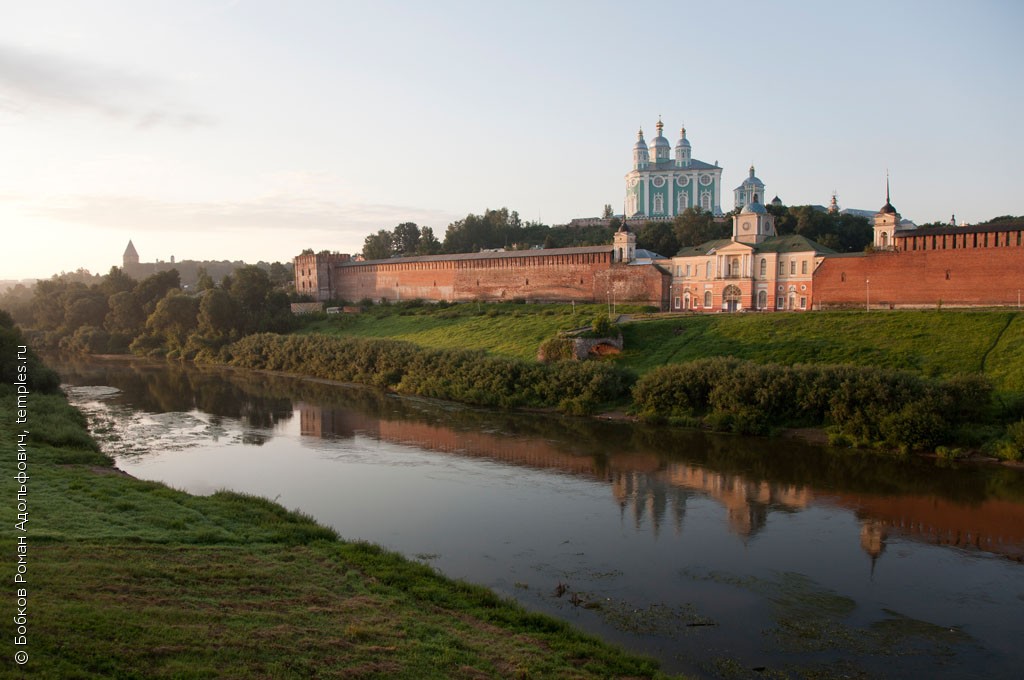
(662, 186)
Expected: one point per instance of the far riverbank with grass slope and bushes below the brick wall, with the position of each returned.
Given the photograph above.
(946, 381)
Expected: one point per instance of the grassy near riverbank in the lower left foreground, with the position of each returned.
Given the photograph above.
(131, 579)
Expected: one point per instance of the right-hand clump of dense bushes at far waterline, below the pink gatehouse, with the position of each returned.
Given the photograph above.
(865, 406)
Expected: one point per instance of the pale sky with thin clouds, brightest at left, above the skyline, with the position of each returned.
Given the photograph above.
(253, 130)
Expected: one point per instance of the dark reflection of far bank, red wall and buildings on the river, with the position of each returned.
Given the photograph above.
(651, 472)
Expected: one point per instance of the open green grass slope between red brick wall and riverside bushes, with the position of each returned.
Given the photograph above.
(936, 344)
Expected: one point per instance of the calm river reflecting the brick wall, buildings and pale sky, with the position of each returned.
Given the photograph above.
(721, 557)
